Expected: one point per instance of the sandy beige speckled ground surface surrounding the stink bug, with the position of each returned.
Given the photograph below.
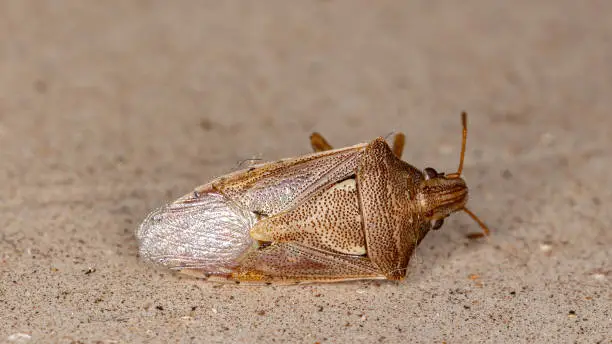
(109, 109)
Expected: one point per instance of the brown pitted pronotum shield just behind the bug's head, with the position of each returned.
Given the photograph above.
(386, 188)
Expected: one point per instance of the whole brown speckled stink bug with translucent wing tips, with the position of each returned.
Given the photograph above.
(334, 215)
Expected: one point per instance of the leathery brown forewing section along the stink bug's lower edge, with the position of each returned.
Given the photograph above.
(294, 262)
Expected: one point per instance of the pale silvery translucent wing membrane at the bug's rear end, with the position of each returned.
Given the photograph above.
(209, 233)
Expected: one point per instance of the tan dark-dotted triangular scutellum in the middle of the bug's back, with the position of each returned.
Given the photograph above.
(329, 220)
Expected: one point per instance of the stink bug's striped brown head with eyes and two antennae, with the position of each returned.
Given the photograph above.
(443, 194)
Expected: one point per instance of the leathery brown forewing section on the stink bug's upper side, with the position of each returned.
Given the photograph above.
(274, 187)
